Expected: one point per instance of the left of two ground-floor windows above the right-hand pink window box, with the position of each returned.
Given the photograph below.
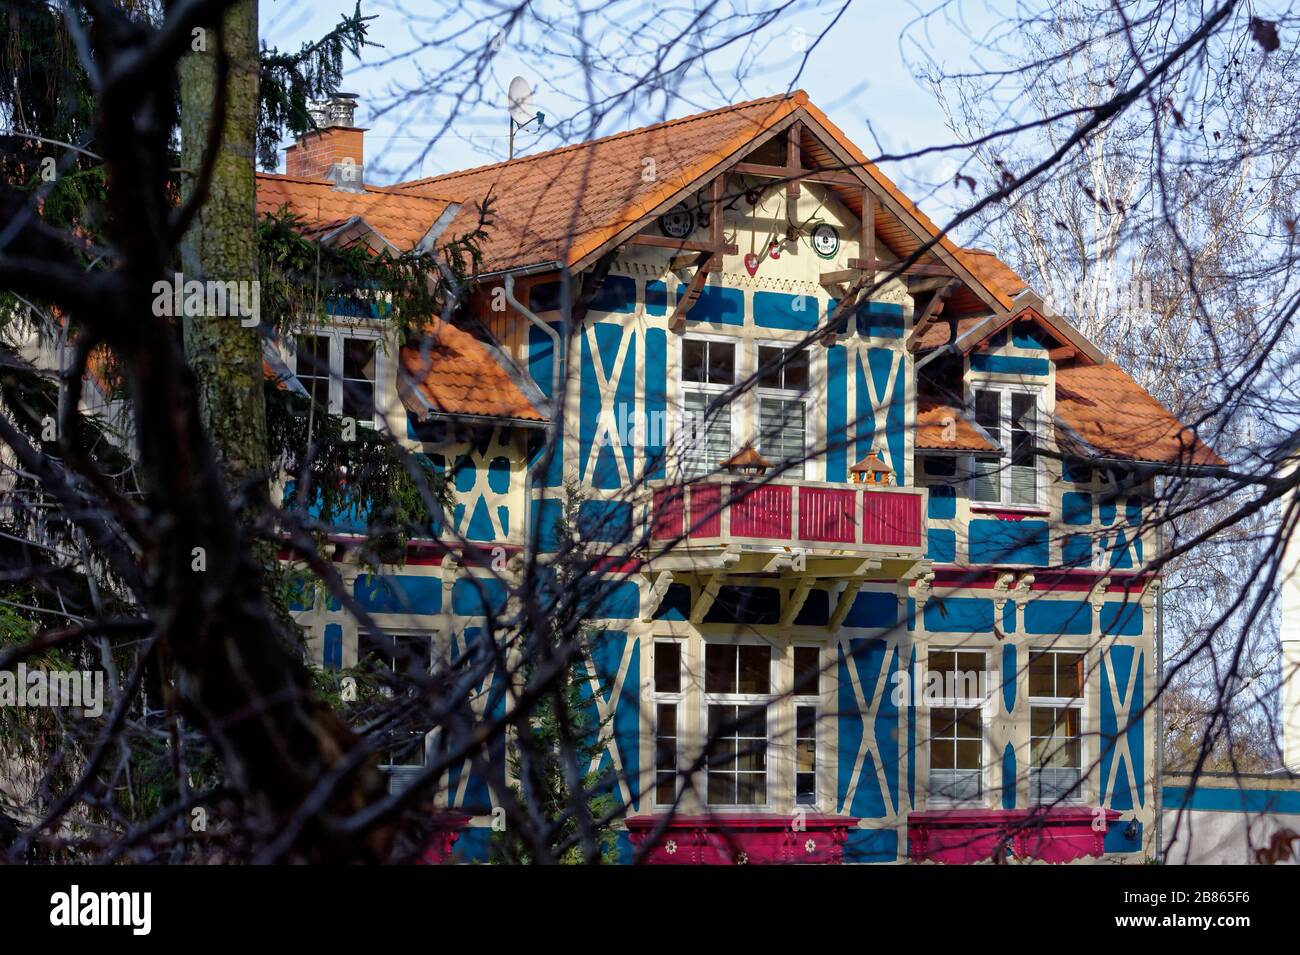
(956, 726)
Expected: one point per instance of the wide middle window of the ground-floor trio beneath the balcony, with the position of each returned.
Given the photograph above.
(738, 693)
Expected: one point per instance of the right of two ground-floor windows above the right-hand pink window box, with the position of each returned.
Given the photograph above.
(1056, 737)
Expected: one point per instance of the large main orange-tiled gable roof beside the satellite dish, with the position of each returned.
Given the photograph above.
(567, 207)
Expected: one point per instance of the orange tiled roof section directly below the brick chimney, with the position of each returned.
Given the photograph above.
(404, 219)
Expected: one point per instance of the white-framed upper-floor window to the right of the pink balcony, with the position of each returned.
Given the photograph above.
(1012, 420)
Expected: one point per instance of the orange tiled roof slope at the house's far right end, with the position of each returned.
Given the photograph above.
(1116, 416)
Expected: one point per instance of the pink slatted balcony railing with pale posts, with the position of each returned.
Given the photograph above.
(816, 516)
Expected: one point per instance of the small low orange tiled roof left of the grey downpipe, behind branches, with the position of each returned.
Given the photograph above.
(454, 374)
